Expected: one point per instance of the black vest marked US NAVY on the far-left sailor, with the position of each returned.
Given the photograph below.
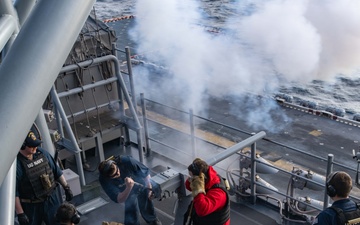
(40, 181)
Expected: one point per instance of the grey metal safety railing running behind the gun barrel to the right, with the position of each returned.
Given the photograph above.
(310, 182)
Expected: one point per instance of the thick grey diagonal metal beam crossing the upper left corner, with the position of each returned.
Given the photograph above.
(32, 65)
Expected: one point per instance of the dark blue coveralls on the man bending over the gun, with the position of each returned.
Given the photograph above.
(138, 197)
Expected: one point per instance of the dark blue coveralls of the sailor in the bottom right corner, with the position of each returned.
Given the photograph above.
(328, 216)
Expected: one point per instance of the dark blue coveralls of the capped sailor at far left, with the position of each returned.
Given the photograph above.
(42, 211)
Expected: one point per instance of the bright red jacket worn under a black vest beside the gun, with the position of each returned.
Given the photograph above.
(213, 200)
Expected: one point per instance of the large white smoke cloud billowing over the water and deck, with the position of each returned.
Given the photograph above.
(261, 46)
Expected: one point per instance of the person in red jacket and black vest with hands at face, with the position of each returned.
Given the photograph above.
(211, 204)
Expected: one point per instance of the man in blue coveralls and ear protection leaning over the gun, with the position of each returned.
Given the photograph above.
(126, 180)
